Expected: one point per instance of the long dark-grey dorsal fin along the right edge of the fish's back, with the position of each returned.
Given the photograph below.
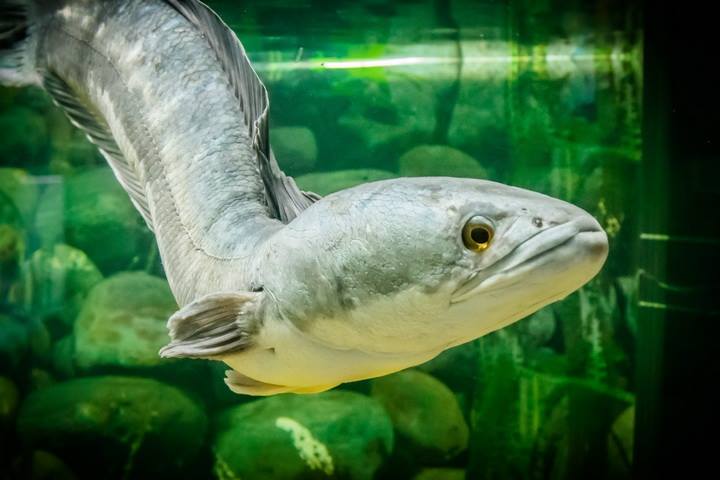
(284, 197)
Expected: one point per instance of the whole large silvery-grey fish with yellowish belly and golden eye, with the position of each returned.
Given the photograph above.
(293, 291)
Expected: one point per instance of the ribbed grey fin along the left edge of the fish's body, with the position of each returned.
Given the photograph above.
(98, 132)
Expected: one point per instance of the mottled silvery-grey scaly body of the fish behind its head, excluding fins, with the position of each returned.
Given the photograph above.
(155, 80)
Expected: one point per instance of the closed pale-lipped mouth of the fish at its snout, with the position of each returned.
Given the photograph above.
(581, 242)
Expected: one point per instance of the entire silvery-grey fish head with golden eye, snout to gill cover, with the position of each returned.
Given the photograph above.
(427, 263)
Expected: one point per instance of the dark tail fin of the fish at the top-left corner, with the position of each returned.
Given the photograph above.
(17, 56)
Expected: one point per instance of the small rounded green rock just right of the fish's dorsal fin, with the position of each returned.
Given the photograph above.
(295, 149)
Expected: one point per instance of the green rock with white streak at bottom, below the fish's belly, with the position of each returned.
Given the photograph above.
(335, 434)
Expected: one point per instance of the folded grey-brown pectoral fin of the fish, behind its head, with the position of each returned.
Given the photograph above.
(214, 325)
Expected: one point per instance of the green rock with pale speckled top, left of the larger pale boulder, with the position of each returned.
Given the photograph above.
(60, 279)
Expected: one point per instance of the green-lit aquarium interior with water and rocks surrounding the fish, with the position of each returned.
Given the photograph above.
(580, 100)
